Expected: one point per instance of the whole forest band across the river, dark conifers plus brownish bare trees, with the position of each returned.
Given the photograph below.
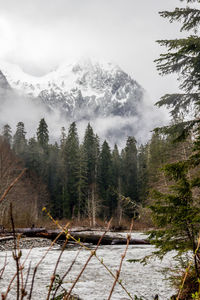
(87, 180)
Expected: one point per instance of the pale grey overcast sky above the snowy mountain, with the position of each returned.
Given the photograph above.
(40, 34)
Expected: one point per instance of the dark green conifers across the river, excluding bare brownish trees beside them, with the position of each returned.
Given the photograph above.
(84, 180)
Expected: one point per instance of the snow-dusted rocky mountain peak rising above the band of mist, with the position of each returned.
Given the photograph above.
(80, 90)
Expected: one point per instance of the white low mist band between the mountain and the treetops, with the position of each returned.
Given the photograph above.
(115, 129)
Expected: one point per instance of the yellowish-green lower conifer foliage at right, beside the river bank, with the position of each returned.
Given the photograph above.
(176, 213)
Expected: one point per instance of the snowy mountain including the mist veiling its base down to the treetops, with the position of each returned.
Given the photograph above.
(83, 91)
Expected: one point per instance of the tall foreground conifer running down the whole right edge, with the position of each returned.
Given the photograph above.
(176, 213)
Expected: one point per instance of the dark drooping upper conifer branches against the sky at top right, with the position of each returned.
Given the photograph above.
(182, 57)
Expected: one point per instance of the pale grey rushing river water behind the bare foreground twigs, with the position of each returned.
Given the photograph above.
(95, 283)
